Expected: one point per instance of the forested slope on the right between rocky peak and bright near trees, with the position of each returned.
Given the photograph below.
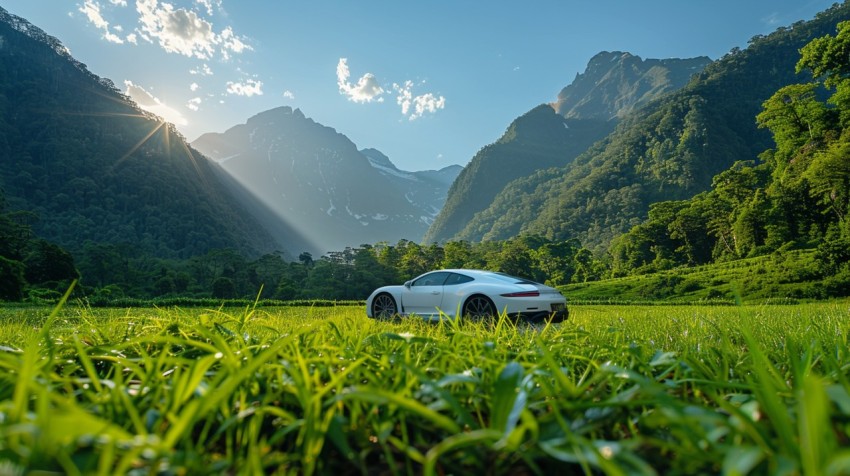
(668, 150)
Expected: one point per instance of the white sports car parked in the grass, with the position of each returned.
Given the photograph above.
(470, 293)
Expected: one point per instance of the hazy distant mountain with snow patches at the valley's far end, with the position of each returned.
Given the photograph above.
(314, 179)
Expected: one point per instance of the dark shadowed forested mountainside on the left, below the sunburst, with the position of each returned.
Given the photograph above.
(92, 170)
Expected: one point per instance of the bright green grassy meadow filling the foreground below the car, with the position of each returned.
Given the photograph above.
(318, 390)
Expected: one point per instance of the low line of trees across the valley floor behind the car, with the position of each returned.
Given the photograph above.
(32, 268)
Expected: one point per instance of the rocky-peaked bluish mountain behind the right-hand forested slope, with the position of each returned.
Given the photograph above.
(587, 110)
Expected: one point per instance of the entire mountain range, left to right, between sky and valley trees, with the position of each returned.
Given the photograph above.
(86, 166)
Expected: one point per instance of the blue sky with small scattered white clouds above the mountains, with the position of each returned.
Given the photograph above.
(427, 83)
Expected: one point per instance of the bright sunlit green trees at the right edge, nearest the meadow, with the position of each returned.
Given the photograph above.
(796, 195)
